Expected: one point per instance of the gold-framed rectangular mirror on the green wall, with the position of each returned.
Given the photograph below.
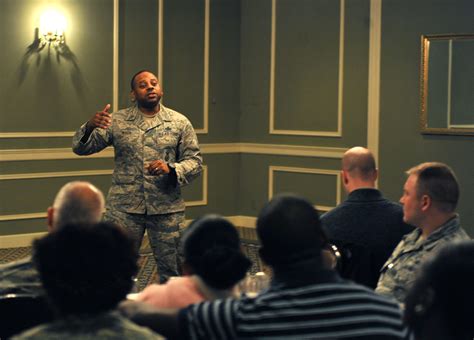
(447, 84)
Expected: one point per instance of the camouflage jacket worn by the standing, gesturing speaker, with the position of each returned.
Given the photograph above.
(169, 137)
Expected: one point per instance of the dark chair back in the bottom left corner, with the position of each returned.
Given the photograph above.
(21, 312)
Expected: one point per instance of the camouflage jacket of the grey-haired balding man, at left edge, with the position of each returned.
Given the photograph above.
(20, 277)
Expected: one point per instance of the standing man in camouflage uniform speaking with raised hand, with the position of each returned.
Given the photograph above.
(156, 152)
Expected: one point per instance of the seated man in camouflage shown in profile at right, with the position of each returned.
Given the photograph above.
(430, 196)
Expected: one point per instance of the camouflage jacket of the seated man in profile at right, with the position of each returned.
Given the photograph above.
(399, 272)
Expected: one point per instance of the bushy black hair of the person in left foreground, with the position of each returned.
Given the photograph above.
(86, 268)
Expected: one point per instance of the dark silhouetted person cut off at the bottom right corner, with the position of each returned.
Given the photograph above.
(439, 305)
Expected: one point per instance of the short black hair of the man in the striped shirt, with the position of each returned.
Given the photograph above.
(288, 228)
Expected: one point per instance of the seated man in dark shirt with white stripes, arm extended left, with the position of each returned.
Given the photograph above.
(304, 300)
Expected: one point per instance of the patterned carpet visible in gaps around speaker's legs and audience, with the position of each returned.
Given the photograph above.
(147, 272)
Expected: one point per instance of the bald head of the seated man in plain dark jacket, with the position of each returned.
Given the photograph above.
(359, 163)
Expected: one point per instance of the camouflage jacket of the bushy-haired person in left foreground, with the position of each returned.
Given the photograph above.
(104, 326)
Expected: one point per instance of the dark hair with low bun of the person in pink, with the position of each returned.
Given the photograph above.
(211, 247)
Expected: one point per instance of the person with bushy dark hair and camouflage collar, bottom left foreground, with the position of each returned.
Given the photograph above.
(86, 270)
